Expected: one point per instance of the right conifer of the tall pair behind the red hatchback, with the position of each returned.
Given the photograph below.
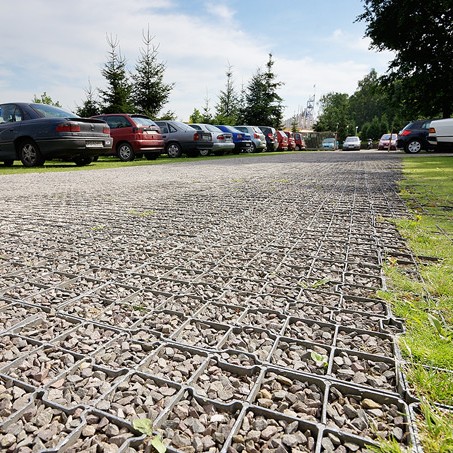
(149, 93)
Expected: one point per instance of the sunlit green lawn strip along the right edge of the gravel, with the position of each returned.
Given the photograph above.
(426, 303)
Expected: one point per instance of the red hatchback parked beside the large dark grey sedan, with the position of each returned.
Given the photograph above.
(133, 136)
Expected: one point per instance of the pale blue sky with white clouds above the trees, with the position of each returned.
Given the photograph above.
(61, 48)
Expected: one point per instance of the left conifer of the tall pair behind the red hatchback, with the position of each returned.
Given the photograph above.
(116, 99)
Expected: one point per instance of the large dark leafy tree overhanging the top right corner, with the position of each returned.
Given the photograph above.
(421, 36)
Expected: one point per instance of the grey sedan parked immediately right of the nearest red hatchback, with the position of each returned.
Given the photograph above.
(181, 138)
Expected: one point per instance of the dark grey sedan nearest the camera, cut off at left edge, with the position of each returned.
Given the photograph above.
(34, 133)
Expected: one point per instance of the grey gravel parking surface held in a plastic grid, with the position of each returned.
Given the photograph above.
(233, 302)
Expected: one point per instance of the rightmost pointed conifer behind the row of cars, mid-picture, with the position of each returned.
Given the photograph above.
(262, 105)
